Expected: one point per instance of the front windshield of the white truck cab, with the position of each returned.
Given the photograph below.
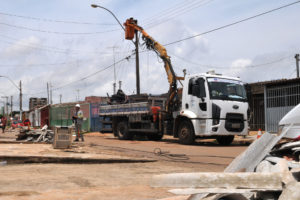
(226, 89)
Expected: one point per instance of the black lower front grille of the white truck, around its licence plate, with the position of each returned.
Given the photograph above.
(234, 122)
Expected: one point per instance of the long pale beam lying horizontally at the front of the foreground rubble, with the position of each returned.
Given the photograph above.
(245, 180)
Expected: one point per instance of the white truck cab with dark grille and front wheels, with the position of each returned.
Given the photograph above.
(215, 105)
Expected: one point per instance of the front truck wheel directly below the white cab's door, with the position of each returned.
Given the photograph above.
(186, 133)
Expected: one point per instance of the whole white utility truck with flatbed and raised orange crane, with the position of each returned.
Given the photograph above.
(207, 105)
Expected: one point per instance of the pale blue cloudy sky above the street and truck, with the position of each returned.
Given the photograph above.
(73, 47)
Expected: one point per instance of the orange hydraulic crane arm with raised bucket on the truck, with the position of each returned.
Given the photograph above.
(130, 28)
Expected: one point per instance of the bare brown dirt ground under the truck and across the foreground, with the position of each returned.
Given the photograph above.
(120, 181)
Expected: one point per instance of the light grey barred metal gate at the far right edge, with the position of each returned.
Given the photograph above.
(279, 101)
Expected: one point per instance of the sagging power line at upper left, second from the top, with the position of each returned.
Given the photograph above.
(56, 32)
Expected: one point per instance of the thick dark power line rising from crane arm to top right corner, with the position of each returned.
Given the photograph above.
(231, 24)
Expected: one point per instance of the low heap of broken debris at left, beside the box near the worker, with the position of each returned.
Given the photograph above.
(36, 135)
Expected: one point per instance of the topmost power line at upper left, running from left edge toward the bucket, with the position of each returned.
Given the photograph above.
(56, 21)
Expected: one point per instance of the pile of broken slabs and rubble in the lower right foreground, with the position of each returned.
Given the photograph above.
(269, 169)
